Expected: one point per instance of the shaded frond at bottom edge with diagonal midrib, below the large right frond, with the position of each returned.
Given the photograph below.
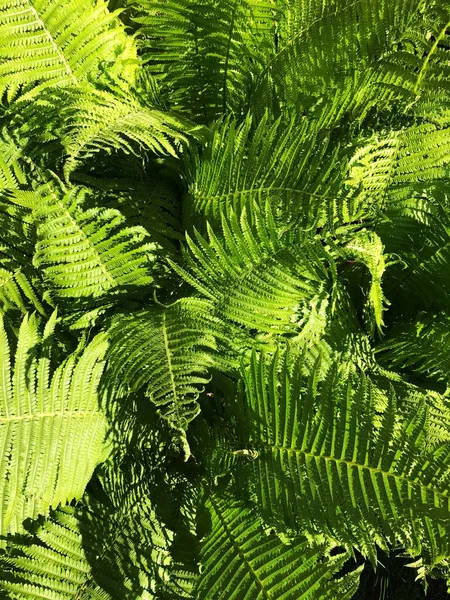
(241, 560)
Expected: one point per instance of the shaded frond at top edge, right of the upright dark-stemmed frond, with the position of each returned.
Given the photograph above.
(331, 54)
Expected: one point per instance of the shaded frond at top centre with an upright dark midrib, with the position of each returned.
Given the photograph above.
(206, 53)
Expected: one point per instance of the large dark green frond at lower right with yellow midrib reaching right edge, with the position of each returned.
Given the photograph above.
(331, 460)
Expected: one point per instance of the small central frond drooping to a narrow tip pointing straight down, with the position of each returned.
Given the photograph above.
(167, 351)
